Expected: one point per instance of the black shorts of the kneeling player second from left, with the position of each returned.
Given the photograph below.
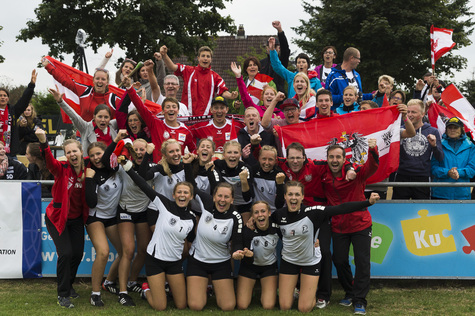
(218, 271)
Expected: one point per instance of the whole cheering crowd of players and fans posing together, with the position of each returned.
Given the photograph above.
(221, 190)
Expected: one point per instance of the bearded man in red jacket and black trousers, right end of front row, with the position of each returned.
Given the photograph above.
(354, 228)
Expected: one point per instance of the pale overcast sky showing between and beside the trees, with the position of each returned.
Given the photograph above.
(256, 16)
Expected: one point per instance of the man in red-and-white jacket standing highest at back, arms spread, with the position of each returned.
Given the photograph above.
(201, 84)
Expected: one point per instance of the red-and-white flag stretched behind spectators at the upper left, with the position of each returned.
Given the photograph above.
(83, 78)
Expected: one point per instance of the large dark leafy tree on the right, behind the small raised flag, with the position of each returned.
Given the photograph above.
(393, 36)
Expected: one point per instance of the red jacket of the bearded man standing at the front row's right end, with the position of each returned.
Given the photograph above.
(338, 191)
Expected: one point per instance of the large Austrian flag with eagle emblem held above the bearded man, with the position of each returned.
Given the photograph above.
(352, 132)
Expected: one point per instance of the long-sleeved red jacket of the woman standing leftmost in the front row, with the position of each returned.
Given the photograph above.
(57, 210)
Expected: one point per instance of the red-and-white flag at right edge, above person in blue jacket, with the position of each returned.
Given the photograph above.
(456, 105)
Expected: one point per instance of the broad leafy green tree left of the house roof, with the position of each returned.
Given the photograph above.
(138, 26)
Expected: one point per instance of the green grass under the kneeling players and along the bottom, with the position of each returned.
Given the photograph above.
(386, 297)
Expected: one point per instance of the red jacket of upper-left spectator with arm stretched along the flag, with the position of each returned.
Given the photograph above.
(88, 98)
